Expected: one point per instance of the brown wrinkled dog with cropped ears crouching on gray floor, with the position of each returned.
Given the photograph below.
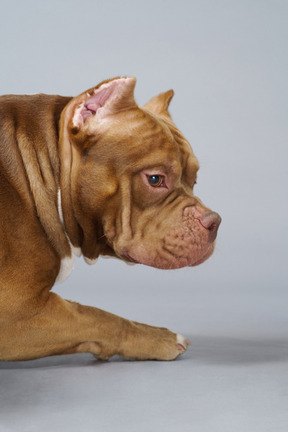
(96, 175)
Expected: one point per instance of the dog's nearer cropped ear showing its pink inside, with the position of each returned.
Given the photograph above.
(97, 104)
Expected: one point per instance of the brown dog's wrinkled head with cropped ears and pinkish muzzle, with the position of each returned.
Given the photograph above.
(127, 180)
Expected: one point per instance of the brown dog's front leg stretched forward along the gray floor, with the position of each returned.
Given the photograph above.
(64, 327)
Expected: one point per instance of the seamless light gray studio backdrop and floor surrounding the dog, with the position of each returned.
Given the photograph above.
(227, 62)
